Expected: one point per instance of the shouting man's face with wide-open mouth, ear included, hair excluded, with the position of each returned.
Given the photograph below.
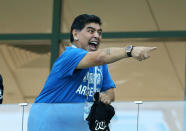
(89, 37)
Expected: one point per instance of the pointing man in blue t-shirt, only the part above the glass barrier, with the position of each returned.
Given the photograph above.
(82, 69)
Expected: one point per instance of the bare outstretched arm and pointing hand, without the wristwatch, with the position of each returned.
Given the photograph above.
(110, 55)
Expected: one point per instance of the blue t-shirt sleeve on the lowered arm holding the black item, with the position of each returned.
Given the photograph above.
(107, 79)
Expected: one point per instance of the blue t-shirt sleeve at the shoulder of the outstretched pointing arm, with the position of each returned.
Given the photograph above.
(68, 61)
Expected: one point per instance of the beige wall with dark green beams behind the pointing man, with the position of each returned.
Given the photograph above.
(33, 33)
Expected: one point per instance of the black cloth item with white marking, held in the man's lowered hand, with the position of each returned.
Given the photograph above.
(100, 115)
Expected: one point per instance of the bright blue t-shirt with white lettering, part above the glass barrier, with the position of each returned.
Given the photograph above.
(65, 83)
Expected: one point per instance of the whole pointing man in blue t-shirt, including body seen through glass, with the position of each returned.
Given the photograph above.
(76, 75)
